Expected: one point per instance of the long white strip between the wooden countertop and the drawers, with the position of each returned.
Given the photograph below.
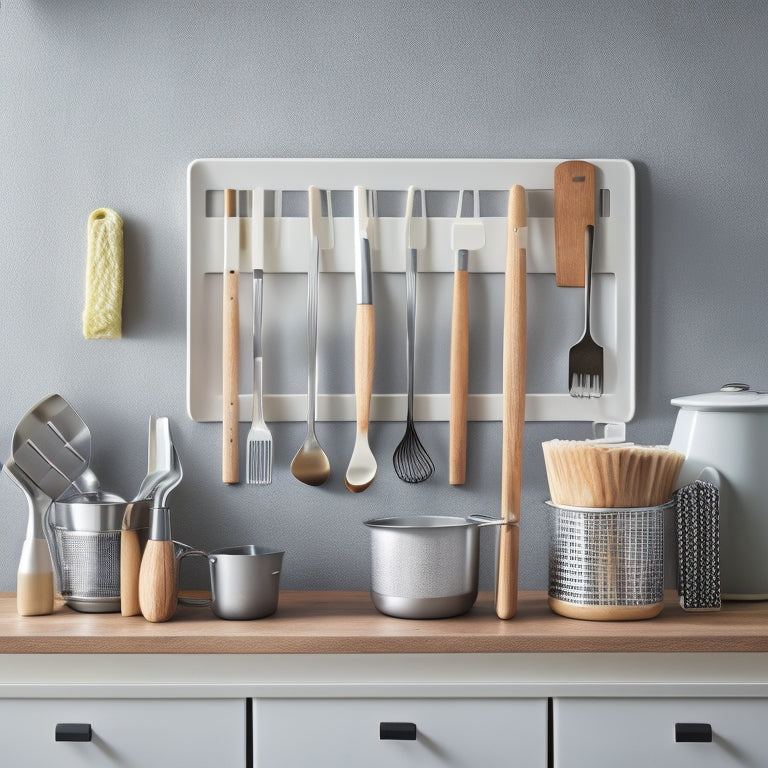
(383, 675)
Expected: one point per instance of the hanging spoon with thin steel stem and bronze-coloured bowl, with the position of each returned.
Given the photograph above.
(310, 465)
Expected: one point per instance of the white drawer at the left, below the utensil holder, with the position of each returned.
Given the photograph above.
(134, 733)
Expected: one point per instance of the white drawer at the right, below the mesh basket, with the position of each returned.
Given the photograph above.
(643, 732)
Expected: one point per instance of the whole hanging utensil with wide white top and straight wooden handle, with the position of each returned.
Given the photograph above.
(466, 236)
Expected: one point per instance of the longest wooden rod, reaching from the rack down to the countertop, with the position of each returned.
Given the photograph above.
(513, 408)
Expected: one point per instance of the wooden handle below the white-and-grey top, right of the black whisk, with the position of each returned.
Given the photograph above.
(459, 378)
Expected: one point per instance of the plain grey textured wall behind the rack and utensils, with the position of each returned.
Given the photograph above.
(105, 104)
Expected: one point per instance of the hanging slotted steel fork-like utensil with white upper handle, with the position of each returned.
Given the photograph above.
(259, 443)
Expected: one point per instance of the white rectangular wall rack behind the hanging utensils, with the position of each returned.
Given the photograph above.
(286, 251)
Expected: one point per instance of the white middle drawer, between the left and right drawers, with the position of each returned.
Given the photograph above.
(457, 732)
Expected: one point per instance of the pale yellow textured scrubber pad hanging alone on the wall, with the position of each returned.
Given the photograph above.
(102, 318)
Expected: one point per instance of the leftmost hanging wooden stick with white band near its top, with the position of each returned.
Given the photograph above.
(230, 469)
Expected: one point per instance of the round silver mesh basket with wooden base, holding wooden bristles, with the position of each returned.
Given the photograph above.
(606, 563)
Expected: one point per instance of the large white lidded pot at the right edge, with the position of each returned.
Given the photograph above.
(728, 431)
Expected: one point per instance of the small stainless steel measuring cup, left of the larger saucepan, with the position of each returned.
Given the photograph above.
(245, 581)
